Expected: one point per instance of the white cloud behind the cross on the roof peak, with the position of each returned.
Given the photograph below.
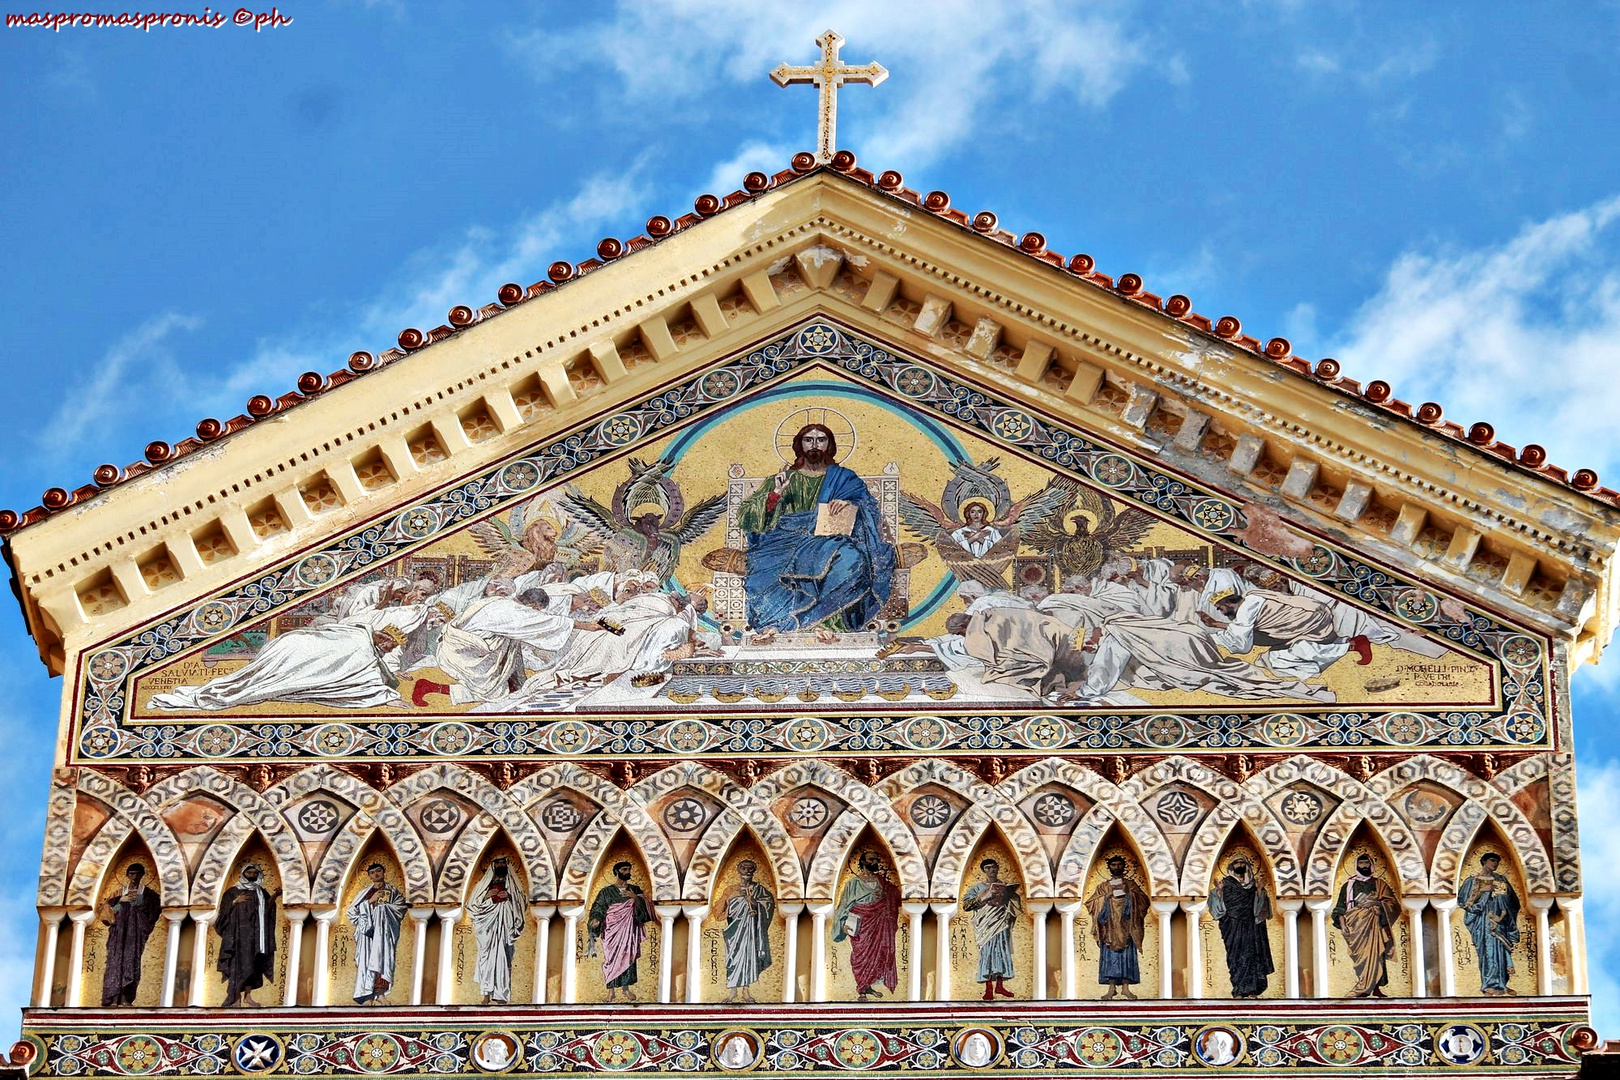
(945, 69)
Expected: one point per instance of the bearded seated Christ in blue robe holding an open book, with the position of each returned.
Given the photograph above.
(817, 555)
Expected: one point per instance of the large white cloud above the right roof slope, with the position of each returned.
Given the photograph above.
(1525, 336)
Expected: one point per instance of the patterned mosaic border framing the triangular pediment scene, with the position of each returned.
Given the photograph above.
(106, 734)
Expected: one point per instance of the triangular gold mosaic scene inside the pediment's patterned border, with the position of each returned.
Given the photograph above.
(863, 558)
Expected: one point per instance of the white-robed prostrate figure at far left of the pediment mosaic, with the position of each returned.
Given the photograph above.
(347, 665)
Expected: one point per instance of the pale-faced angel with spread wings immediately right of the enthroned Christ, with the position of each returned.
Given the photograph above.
(978, 527)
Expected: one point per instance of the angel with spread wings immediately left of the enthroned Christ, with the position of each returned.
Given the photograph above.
(649, 522)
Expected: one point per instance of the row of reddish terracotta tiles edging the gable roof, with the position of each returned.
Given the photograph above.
(1033, 245)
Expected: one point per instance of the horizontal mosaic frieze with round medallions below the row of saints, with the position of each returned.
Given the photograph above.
(934, 1044)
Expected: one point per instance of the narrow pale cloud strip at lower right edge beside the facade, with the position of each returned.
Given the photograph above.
(1600, 814)
